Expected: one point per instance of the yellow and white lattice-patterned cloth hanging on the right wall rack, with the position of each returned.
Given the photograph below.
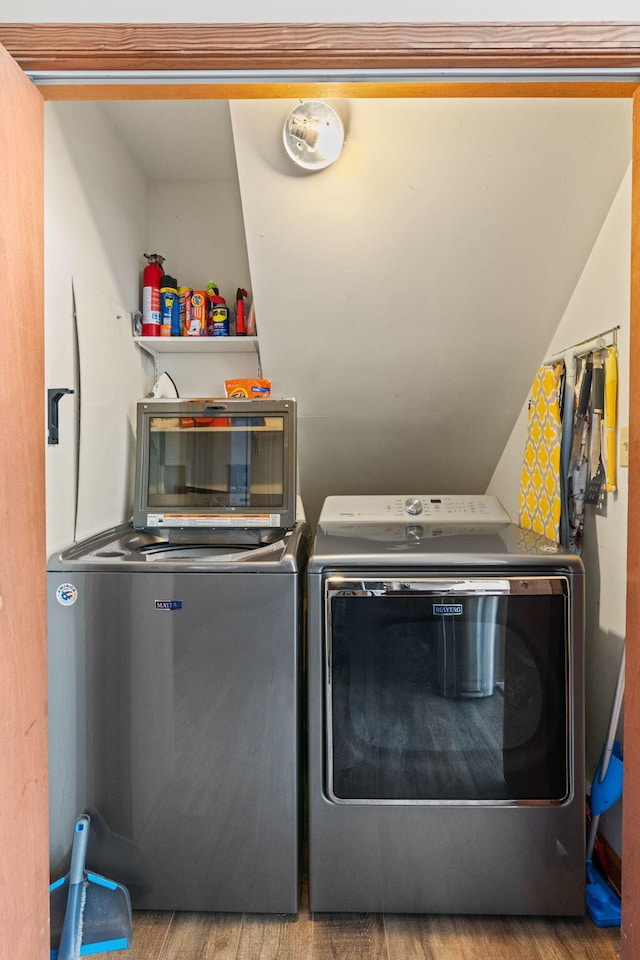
(540, 489)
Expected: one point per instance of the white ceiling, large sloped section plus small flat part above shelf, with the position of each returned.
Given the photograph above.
(406, 295)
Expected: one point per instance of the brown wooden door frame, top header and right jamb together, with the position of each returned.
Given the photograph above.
(264, 48)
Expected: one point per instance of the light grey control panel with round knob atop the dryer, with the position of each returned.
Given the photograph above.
(434, 508)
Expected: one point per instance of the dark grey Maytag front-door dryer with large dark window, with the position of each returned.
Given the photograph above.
(445, 671)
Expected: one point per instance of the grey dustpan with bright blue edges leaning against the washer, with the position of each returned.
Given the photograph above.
(89, 914)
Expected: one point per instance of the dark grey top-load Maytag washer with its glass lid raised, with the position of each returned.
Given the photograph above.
(175, 663)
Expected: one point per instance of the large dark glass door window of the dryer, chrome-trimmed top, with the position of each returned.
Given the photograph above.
(448, 692)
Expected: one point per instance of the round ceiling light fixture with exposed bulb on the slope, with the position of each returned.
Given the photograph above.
(313, 135)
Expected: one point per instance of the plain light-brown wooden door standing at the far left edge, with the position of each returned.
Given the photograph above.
(24, 900)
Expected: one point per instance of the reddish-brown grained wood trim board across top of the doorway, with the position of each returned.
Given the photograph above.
(254, 46)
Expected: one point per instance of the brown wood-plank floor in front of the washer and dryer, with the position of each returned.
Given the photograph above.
(330, 936)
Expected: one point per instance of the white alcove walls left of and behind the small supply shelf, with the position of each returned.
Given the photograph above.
(102, 213)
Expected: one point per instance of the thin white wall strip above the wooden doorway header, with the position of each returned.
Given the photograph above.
(318, 11)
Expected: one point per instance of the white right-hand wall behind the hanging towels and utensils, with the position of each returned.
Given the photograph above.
(600, 301)
